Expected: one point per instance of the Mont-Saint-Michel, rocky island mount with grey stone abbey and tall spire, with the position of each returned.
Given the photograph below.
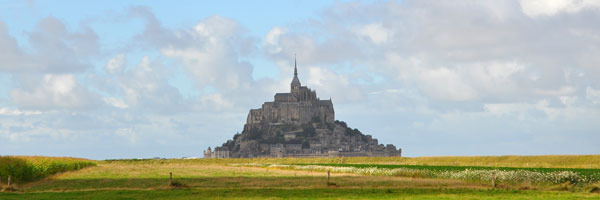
(299, 124)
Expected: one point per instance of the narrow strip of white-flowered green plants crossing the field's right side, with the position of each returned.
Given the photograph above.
(453, 172)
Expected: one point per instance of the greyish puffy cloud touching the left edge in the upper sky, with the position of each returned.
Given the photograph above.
(54, 49)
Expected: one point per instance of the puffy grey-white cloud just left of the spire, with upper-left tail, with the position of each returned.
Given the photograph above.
(212, 54)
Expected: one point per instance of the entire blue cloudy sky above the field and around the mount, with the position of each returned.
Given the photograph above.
(139, 79)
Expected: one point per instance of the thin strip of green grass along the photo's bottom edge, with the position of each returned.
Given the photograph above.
(321, 193)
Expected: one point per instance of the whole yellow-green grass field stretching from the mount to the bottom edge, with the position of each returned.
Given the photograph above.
(286, 178)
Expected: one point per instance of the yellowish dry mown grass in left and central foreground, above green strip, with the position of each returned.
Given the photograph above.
(155, 176)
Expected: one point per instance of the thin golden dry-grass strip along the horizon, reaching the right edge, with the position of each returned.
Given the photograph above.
(548, 161)
